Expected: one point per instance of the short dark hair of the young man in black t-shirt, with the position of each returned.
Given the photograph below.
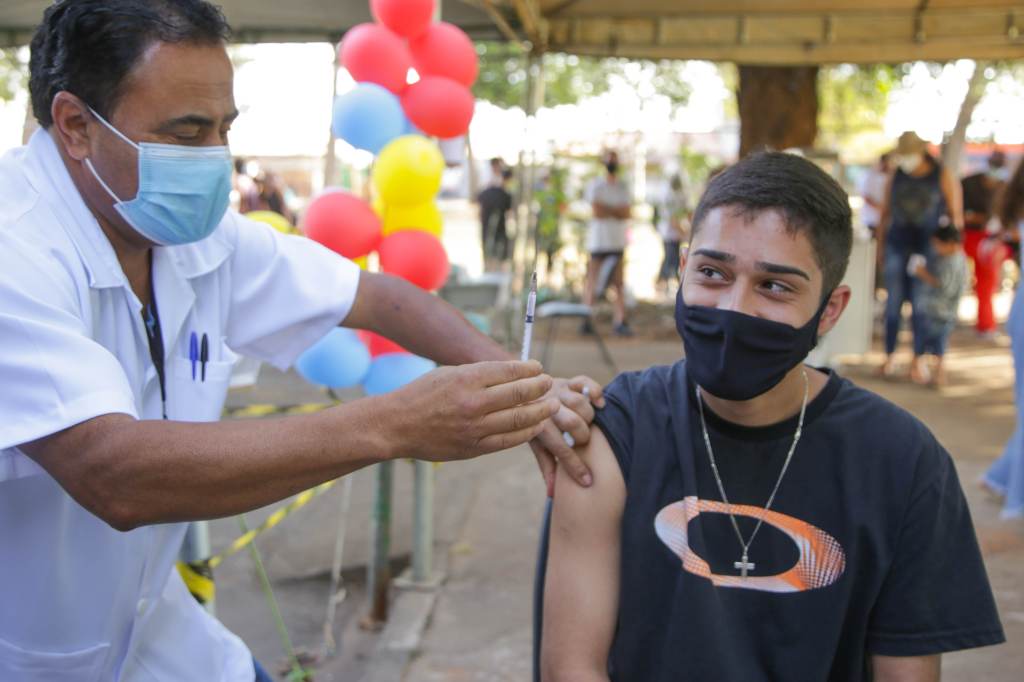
(809, 200)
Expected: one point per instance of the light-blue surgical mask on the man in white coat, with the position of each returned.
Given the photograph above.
(184, 192)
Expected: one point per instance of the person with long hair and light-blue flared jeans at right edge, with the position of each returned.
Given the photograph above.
(1006, 477)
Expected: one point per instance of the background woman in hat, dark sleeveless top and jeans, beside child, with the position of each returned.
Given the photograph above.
(921, 197)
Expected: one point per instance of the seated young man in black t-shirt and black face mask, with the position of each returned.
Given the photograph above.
(753, 519)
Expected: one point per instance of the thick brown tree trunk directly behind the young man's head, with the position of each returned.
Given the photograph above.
(779, 108)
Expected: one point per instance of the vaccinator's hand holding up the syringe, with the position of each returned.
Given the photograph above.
(458, 413)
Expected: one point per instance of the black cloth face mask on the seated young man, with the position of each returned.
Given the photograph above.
(736, 357)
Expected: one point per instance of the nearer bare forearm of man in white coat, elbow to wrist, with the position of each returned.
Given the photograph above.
(134, 474)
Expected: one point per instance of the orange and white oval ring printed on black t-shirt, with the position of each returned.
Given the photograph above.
(822, 559)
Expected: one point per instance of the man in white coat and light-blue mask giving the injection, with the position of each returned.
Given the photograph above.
(126, 289)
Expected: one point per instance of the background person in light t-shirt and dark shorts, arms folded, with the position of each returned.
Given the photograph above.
(612, 203)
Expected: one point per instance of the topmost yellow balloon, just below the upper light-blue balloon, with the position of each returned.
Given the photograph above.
(408, 172)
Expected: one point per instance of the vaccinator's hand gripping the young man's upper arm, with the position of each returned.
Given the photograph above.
(578, 398)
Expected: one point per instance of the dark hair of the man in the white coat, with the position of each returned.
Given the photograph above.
(90, 48)
